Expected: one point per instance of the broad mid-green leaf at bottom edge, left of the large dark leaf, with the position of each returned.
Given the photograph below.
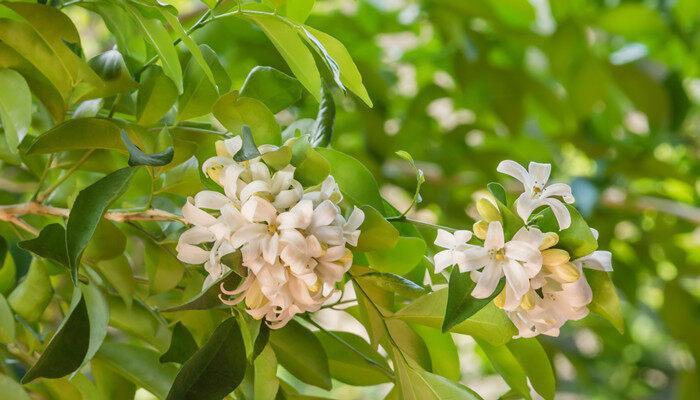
(139, 365)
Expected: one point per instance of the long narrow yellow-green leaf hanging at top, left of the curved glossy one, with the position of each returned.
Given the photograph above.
(292, 49)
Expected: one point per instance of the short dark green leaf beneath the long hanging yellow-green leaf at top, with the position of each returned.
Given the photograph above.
(274, 88)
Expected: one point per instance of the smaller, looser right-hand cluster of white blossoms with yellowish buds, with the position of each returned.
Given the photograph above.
(544, 287)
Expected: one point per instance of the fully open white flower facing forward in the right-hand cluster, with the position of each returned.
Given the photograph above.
(519, 260)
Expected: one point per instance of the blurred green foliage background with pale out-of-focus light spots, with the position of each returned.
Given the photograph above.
(607, 91)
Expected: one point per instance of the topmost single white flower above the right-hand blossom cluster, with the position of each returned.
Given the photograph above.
(536, 194)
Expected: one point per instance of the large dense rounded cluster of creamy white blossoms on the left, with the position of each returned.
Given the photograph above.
(293, 242)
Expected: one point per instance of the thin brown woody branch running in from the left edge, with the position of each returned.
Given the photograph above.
(11, 212)
